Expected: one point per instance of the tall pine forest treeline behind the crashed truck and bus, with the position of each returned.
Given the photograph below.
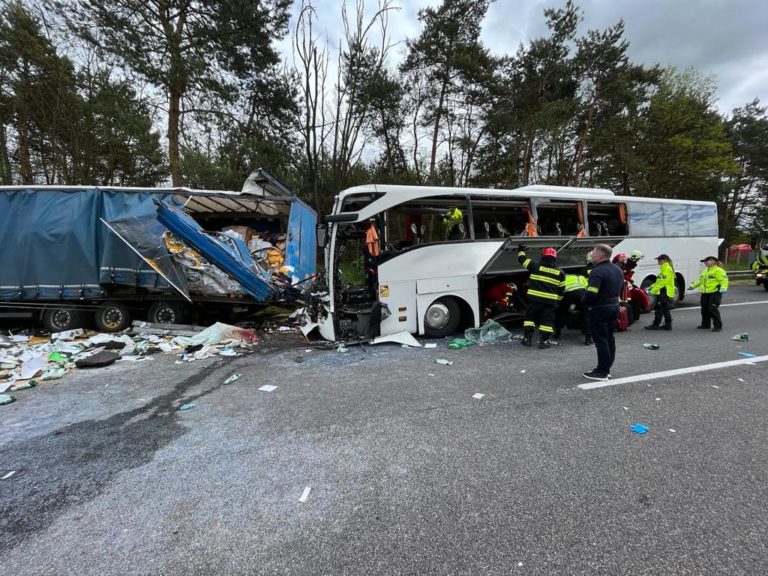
(197, 93)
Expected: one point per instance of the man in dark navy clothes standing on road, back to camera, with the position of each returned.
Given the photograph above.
(606, 281)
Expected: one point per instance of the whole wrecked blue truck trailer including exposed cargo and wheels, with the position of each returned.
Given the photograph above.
(72, 255)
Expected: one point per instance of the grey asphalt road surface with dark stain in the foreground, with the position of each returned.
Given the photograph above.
(408, 472)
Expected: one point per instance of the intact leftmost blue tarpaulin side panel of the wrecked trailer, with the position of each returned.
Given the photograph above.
(48, 244)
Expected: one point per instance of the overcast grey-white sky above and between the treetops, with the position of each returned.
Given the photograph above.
(727, 39)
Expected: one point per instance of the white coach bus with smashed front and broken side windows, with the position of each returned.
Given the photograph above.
(441, 249)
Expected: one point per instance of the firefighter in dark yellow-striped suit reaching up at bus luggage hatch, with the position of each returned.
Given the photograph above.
(545, 290)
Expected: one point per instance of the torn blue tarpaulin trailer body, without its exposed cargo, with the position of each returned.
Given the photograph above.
(58, 253)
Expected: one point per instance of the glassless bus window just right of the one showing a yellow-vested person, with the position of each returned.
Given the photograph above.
(495, 217)
